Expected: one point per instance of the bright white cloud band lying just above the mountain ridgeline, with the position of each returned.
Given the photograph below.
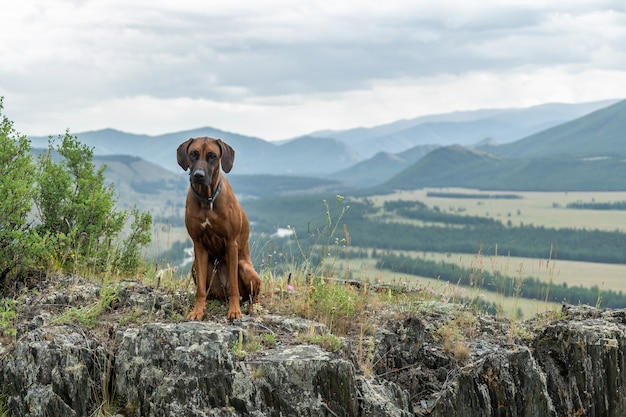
(281, 117)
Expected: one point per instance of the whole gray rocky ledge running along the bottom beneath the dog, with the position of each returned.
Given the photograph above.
(572, 365)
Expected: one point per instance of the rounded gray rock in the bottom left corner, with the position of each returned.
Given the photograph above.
(55, 371)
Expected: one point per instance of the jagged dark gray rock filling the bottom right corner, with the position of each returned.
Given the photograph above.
(574, 366)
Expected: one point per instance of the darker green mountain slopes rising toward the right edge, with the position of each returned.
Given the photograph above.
(584, 154)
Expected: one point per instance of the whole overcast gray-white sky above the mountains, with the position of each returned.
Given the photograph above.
(279, 69)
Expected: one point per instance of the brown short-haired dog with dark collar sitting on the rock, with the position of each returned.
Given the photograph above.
(218, 227)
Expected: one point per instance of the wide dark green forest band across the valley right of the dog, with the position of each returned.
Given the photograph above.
(394, 228)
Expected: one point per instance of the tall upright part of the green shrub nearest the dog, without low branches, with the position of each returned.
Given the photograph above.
(75, 205)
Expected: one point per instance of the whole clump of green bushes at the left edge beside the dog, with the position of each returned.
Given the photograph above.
(60, 214)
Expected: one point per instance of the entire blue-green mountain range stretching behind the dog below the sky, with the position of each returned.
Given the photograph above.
(552, 146)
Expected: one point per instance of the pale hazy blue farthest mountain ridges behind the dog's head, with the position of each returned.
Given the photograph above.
(323, 152)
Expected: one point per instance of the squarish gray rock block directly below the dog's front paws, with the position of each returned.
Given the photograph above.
(175, 369)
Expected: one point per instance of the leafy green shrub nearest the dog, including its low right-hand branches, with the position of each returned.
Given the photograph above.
(77, 211)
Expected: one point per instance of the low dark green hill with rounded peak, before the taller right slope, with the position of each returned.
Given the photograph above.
(456, 166)
